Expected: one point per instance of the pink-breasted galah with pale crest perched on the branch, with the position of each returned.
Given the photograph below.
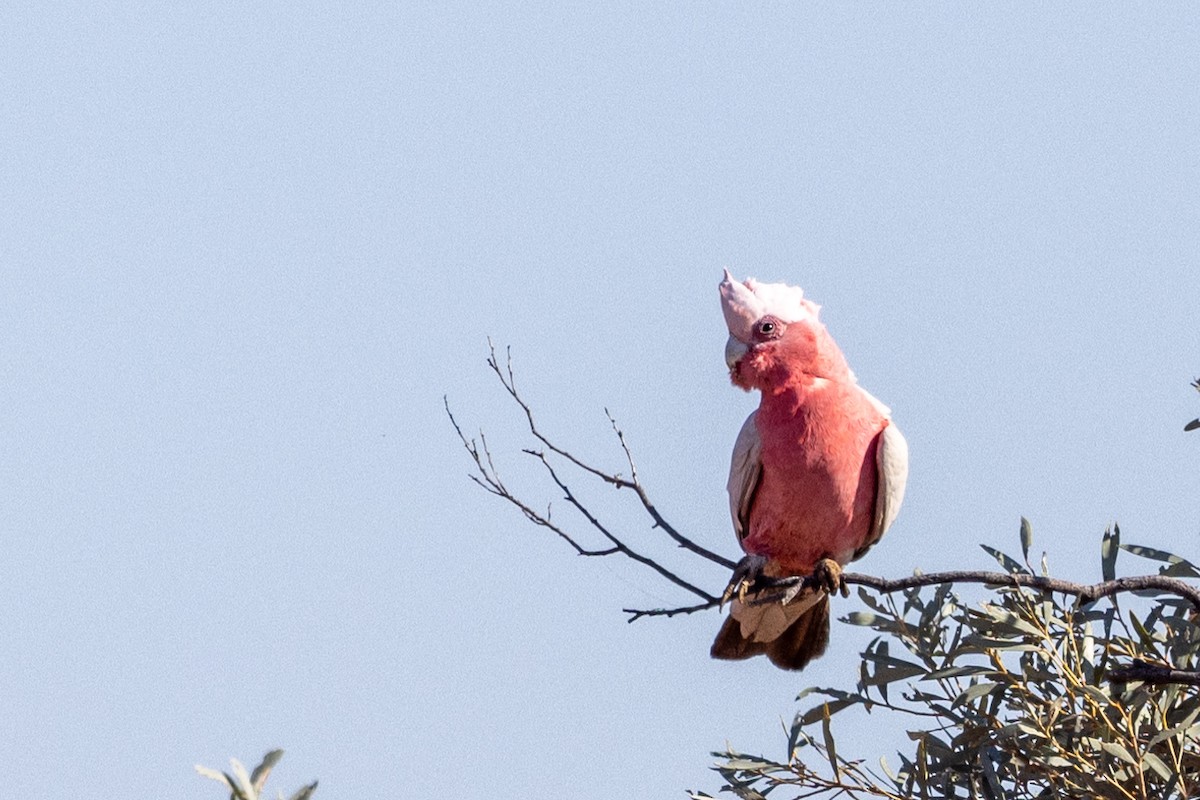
(818, 474)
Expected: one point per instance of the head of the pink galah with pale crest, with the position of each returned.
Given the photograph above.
(775, 335)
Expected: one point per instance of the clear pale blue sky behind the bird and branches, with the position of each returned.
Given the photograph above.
(247, 249)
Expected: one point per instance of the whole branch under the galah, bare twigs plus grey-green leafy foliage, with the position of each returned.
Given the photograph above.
(1027, 696)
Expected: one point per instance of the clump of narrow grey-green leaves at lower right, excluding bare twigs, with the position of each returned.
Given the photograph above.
(1030, 694)
